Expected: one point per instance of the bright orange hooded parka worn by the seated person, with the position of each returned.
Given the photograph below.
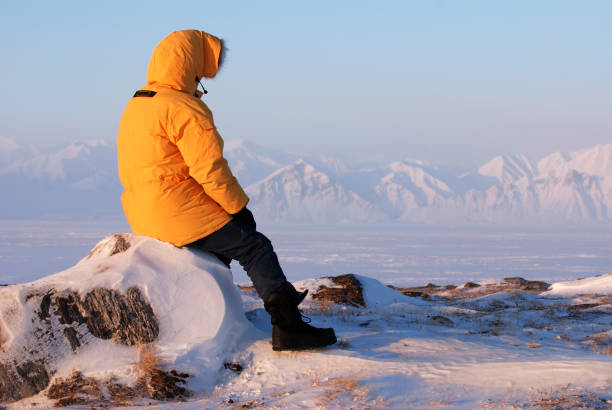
(177, 186)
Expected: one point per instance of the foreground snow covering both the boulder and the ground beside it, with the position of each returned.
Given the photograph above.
(507, 349)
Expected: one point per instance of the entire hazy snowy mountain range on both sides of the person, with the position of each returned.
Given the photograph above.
(576, 187)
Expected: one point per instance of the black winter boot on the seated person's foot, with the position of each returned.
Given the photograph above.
(289, 331)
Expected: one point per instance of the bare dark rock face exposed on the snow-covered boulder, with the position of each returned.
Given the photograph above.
(63, 323)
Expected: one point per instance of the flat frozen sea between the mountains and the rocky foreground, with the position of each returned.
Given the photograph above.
(401, 256)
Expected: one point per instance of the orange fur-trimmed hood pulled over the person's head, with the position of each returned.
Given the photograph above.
(181, 57)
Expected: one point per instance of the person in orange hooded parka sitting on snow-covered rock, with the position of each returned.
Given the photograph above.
(179, 188)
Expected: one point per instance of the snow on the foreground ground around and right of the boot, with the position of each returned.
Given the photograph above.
(394, 356)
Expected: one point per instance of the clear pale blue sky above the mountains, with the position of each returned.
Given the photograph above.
(443, 81)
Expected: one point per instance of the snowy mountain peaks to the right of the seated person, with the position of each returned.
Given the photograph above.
(508, 190)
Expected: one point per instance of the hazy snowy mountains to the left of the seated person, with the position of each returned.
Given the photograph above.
(77, 180)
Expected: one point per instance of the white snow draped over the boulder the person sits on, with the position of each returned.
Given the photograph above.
(198, 307)
